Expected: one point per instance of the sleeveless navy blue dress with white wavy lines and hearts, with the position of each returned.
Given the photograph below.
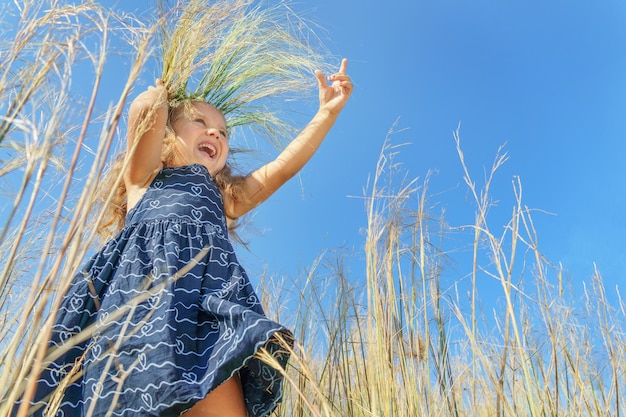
(170, 313)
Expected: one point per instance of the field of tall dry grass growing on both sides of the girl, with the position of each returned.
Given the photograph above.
(402, 338)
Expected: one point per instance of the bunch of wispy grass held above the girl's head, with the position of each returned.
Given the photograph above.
(241, 57)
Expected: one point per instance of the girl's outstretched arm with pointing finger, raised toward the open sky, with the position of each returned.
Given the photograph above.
(262, 183)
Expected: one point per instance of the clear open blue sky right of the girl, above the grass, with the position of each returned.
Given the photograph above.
(545, 79)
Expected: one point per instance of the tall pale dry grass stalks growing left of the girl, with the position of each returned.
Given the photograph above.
(52, 158)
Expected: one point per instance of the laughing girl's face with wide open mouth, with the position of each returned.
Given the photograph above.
(201, 138)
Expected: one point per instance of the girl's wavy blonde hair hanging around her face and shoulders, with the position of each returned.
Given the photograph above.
(227, 181)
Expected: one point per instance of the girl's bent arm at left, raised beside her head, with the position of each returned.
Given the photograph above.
(147, 120)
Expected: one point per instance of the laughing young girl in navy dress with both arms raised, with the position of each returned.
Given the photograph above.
(173, 323)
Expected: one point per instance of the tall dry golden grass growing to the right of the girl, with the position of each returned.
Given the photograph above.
(409, 337)
